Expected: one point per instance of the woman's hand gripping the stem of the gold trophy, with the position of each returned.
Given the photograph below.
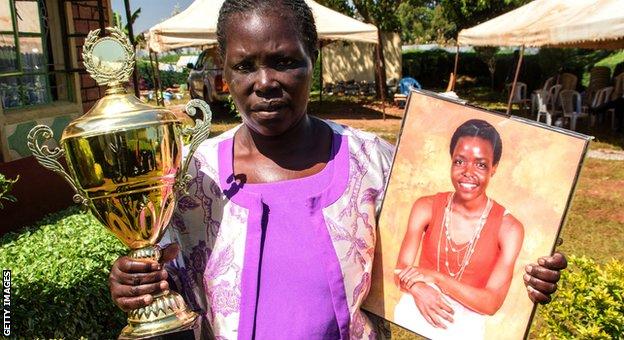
(132, 283)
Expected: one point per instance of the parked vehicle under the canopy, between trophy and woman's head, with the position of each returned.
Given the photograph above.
(205, 79)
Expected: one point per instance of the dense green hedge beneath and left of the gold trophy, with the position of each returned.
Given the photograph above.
(59, 278)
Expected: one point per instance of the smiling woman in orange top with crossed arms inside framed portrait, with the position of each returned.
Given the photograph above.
(469, 248)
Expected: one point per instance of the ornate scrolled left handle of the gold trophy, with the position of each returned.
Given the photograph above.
(48, 159)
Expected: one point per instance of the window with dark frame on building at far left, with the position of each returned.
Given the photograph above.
(27, 71)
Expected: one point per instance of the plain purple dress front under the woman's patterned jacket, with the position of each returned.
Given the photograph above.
(296, 289)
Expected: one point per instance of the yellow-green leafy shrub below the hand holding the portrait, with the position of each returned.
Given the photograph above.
(589, 303)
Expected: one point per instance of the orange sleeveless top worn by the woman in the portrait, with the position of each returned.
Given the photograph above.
(486, 252)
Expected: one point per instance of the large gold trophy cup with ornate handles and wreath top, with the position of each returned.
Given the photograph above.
(125, 164)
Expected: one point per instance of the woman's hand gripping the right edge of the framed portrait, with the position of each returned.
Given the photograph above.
(541, 278)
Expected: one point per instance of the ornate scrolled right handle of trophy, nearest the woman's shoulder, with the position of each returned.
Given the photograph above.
(196, 135)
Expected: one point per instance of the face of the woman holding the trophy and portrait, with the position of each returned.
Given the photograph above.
(268, 70)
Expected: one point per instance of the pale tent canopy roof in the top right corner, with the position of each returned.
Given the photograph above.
(597, 24)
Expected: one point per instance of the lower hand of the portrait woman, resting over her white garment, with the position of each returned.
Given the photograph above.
(431, 304)
